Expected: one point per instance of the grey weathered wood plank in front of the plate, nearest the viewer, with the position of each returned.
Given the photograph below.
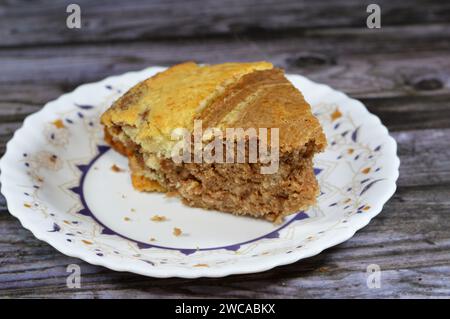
(409, 241)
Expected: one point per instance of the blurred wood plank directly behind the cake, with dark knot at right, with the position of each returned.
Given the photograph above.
(350, 65)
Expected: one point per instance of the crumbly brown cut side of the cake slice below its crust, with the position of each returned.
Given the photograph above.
(237, 188)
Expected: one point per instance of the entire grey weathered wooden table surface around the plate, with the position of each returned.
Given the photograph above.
(401, 72)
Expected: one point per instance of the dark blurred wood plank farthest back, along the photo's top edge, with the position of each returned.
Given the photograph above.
(44, 21)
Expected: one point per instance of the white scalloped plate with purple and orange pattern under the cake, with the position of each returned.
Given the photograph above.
(56, 176)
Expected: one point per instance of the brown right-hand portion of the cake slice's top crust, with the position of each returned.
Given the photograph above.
(266, 99)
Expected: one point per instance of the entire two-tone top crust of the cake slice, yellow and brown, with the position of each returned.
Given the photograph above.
(223, 95)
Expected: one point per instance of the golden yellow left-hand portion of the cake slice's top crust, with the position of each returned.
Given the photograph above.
(170, 99)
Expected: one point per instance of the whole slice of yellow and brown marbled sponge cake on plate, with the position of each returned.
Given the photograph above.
(230, 95)
